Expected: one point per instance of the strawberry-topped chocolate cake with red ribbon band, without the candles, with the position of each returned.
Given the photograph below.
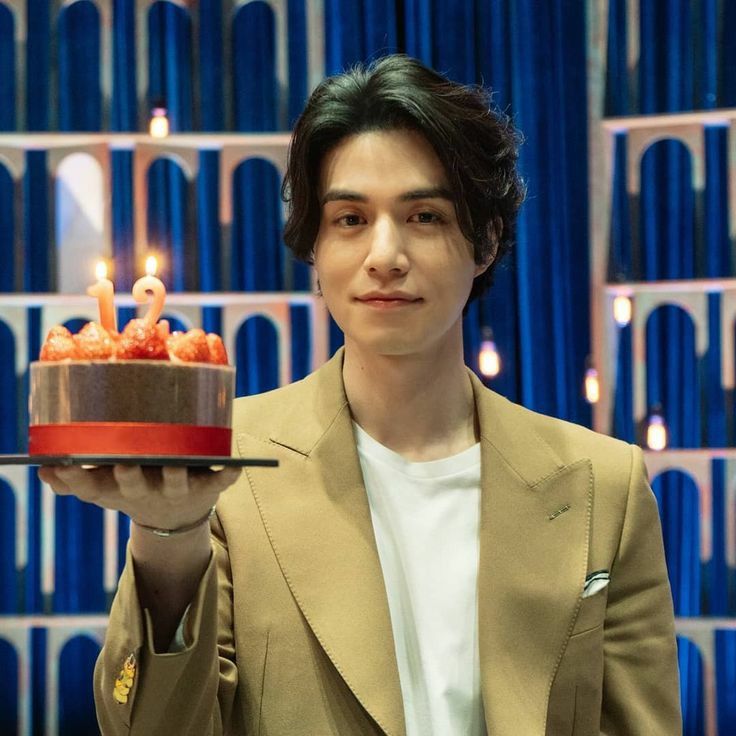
(143, 391)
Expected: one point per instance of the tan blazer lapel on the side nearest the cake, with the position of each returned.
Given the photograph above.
(316, 514)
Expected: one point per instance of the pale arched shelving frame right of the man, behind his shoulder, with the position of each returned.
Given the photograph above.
(642, 132)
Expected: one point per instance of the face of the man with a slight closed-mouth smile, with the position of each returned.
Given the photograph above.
(388, 225)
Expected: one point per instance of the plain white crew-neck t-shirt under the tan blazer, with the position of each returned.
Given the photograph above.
(426, 517)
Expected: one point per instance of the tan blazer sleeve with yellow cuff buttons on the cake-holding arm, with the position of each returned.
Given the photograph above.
(191, 692)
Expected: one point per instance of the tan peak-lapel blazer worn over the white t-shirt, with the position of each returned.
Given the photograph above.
(290, 634)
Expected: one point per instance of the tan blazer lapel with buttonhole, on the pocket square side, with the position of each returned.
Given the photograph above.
(535, 525)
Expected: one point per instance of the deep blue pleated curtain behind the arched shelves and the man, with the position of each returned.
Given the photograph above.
(533, 56)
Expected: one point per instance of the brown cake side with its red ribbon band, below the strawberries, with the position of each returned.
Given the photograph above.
(100, 401)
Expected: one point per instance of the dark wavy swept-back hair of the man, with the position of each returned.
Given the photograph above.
(476, 144)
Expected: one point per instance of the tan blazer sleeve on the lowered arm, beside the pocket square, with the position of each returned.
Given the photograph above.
(640, 677)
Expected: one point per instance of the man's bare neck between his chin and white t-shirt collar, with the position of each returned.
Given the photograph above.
(419, 405)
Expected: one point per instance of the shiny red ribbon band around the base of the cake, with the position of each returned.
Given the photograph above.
(128, 438)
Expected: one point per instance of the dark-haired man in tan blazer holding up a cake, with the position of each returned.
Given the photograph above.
(428, 558)
